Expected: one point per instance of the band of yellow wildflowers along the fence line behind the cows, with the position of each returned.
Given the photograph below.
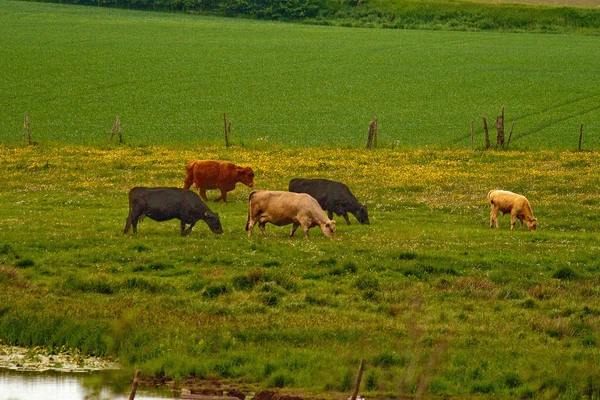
(431, 176)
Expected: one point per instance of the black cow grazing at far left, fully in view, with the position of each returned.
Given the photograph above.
(163, 204)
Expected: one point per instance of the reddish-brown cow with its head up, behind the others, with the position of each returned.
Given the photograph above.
(212, 174)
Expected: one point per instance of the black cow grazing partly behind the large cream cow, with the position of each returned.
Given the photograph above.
(333, 197)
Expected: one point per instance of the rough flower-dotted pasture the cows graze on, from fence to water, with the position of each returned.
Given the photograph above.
(437, 302)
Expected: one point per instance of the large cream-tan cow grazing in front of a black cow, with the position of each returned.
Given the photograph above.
(283, 208)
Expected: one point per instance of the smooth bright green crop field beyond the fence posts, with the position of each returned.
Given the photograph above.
(170, 78)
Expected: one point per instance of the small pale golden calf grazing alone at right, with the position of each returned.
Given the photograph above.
(515, 204)
